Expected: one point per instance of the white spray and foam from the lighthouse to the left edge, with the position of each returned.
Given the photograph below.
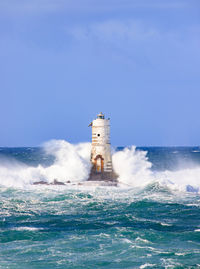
(71, 163)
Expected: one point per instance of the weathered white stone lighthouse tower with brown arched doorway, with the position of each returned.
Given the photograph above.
(102, 168)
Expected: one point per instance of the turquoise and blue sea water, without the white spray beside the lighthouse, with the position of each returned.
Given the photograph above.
(100, 227)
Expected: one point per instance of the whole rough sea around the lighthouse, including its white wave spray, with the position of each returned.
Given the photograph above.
(151, 220)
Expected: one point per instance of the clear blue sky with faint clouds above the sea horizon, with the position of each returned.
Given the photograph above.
(64, 61)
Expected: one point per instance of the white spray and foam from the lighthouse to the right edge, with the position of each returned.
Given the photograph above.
(134, 169)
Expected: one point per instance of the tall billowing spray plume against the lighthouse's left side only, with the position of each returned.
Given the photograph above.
(72, 162)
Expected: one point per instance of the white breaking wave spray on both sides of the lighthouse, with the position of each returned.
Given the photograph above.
(71, 162)
